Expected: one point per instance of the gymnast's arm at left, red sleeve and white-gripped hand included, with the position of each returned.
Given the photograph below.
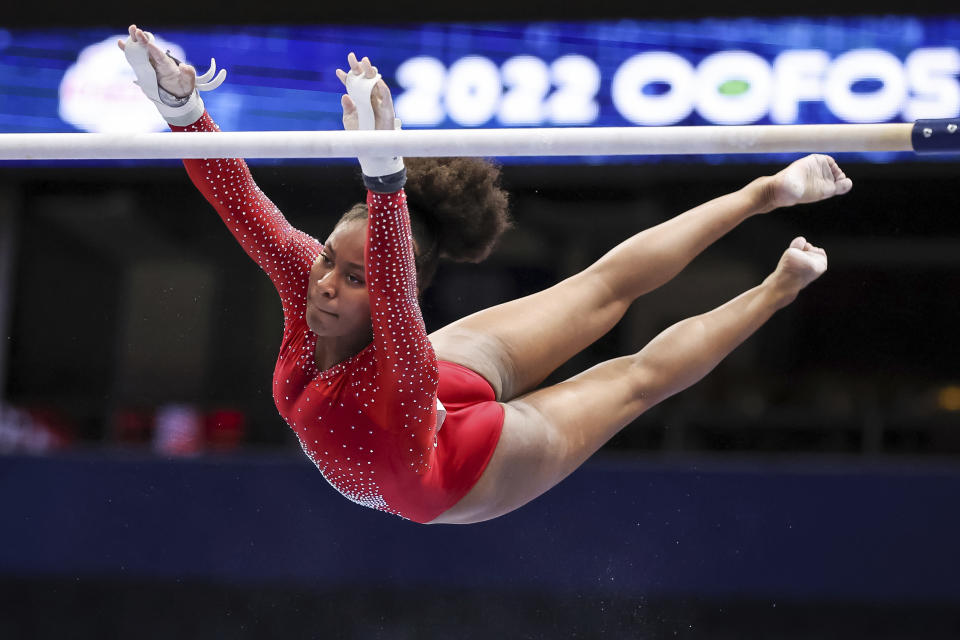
(283, 252)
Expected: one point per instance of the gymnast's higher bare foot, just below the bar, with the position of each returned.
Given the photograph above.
(816, 177)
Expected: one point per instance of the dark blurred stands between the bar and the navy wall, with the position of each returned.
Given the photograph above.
(129, 296)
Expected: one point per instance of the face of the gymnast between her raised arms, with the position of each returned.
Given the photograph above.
(338, 305)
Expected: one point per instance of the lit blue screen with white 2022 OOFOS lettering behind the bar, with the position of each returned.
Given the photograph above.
(655, 73)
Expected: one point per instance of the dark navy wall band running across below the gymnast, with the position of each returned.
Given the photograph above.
(813, 531)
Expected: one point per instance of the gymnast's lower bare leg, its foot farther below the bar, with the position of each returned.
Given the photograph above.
(550, 432)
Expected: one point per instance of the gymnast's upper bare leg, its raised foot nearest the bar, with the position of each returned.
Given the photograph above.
(517, 344)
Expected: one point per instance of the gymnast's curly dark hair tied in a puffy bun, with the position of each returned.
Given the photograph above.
(457, 211)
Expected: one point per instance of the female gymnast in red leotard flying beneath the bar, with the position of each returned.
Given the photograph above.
(451, 427)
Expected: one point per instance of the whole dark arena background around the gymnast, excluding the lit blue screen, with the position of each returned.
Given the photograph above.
(806, 488)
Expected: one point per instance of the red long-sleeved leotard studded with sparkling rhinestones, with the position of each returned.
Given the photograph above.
(369, 422)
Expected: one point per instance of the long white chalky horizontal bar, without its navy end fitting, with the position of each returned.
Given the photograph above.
(596, 141)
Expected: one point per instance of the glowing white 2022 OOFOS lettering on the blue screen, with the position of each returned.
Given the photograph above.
(664, 88)
